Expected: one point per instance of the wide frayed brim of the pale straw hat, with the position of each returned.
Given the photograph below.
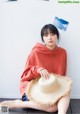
(36, 95)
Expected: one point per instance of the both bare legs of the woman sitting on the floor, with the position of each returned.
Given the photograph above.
(62, 105)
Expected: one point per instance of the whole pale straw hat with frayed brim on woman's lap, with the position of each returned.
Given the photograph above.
(48, 91)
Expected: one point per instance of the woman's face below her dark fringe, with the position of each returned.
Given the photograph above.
(50, 39)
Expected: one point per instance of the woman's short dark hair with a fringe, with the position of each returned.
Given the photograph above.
(47, 28)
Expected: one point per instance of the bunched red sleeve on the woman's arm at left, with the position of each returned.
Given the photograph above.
(31, 69)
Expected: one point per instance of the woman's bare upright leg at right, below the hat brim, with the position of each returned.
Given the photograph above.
(63, 104)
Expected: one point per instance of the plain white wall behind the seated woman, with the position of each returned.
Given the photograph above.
(20, 25)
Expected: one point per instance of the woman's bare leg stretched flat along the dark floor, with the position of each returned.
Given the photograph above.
(28, 104)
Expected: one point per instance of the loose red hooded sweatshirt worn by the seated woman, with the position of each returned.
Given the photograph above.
(55, 61)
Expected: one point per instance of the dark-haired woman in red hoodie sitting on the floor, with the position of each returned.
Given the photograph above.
(43, 59)
